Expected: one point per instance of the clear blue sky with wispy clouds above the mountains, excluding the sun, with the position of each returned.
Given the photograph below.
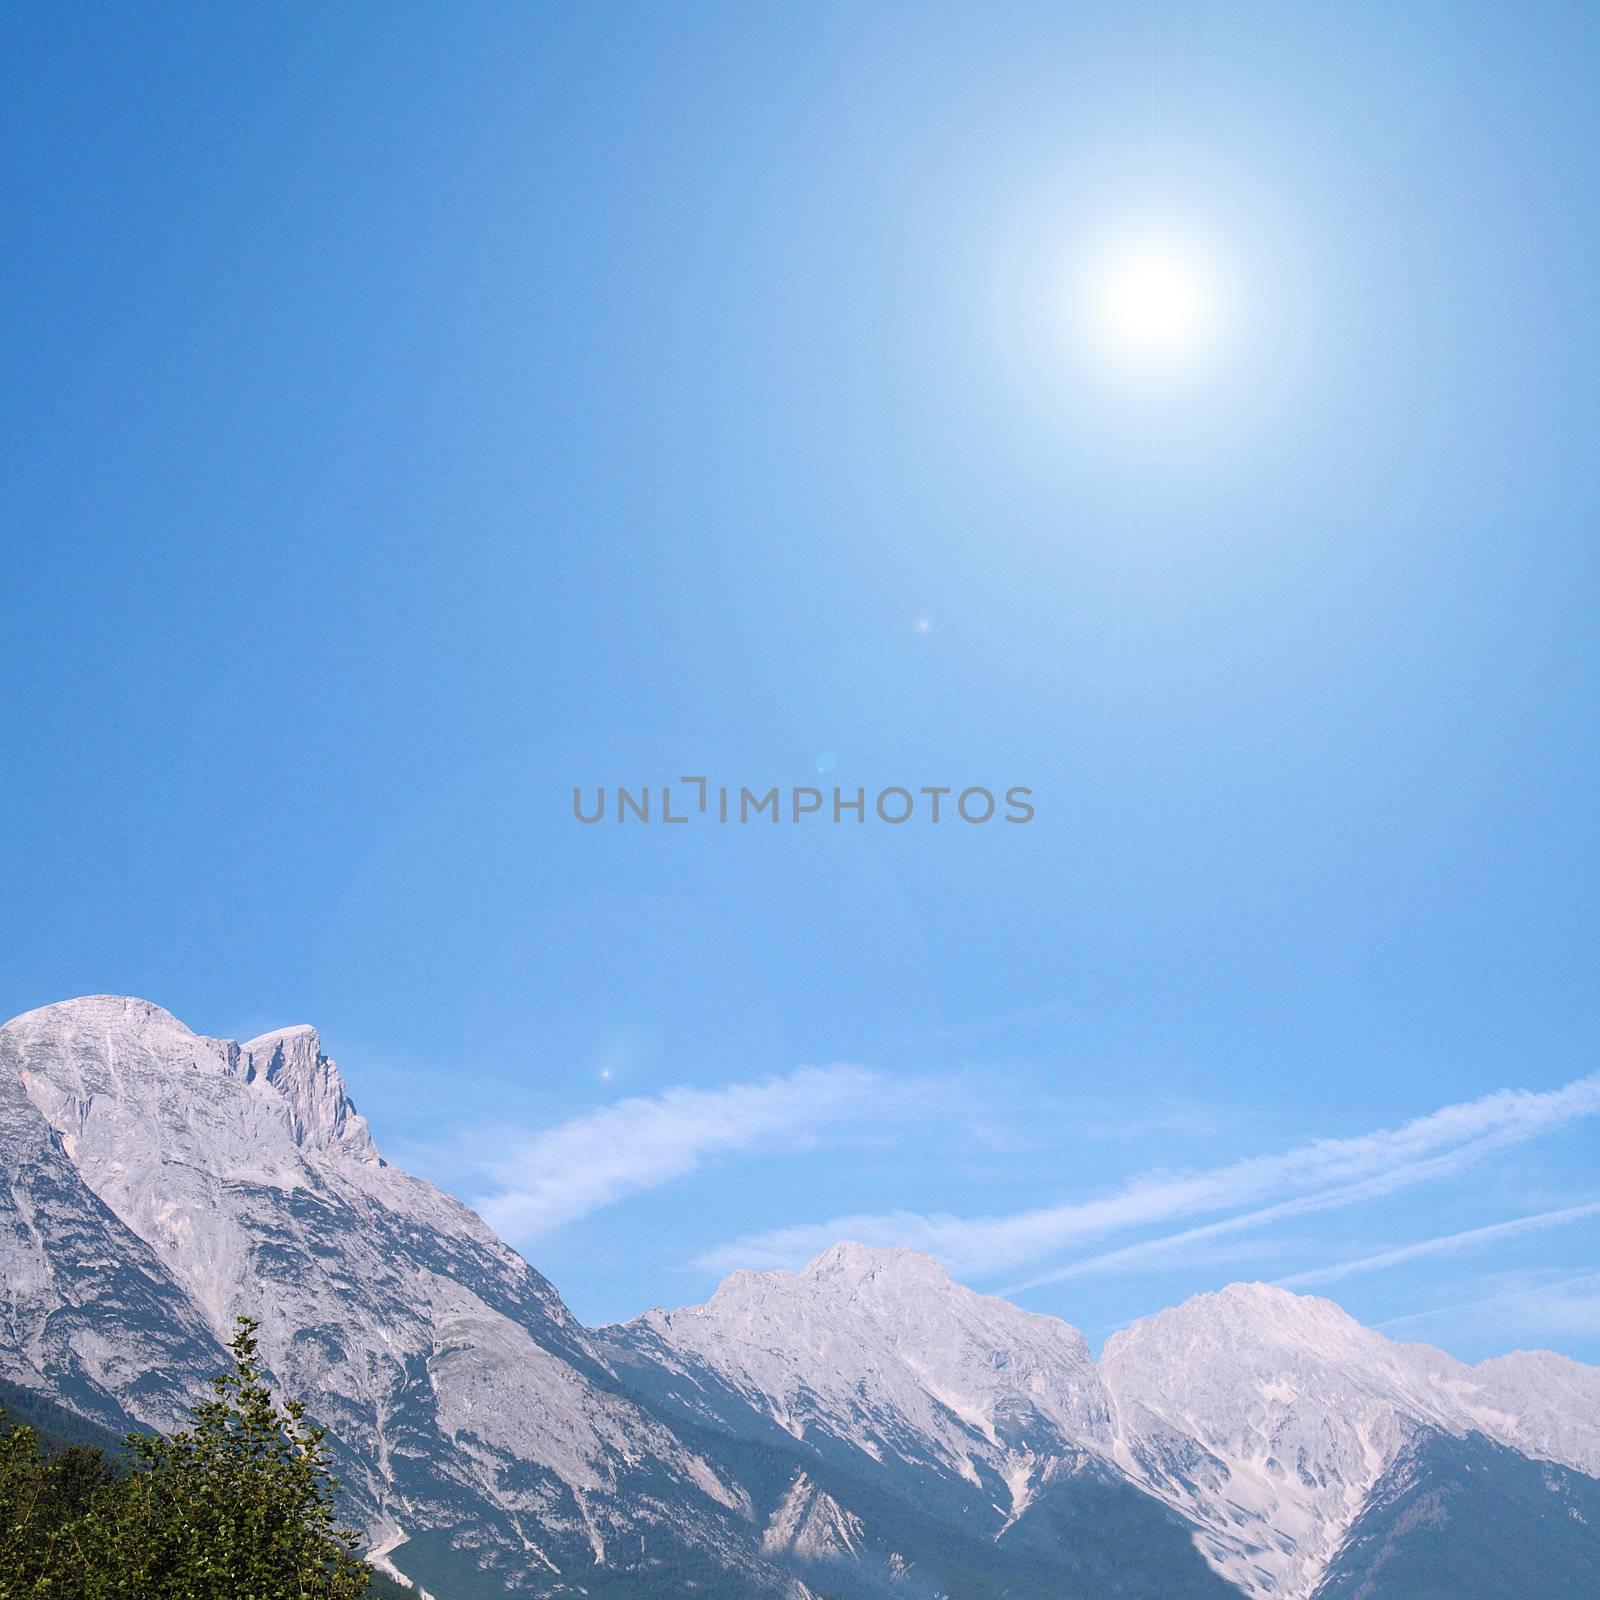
(412, 415)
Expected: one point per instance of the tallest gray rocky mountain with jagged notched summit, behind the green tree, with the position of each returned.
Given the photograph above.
(162, 1183)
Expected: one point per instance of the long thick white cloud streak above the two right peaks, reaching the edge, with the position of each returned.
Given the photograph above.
(1311, 1177)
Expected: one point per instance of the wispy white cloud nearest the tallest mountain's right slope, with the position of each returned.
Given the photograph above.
(642, 1143)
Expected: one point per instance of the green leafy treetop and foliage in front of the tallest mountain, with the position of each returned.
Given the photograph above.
(239, 1506)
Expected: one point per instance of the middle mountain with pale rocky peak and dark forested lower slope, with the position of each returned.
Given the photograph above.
(927, 1436)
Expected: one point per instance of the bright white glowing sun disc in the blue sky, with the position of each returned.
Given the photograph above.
(1151, 303)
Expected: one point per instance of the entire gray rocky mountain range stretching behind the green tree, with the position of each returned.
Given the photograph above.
(866, 1428)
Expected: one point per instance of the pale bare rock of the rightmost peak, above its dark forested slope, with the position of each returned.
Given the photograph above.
(1270, 1420)
